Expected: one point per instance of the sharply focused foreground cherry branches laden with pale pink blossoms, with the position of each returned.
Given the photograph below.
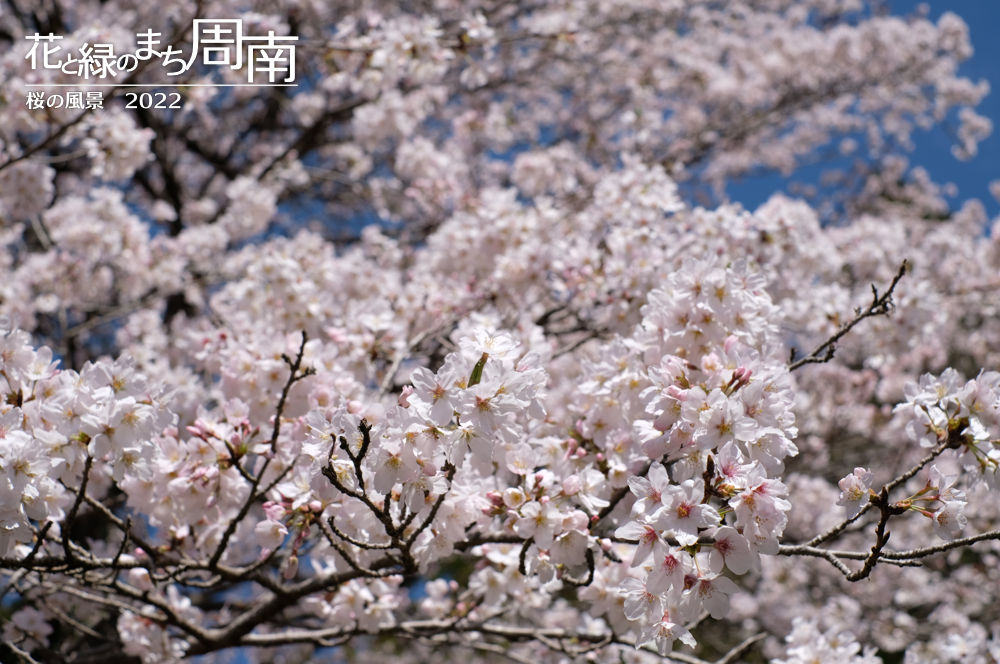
(334, 508)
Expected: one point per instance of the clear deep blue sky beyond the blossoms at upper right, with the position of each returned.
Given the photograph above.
(933, 147)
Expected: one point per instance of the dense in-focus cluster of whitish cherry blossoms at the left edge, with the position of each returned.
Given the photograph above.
(56, 423)
